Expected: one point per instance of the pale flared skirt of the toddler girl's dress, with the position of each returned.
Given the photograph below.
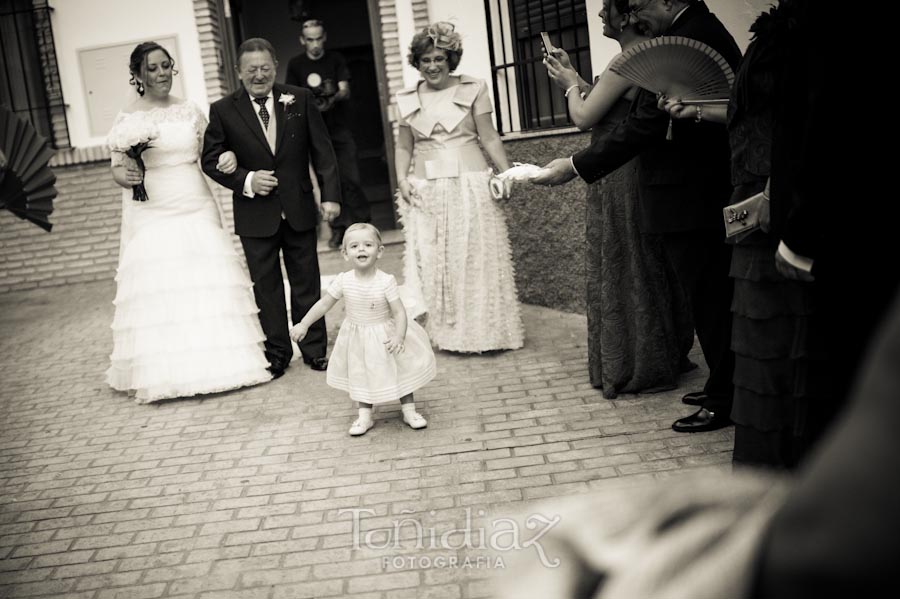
(361, 366)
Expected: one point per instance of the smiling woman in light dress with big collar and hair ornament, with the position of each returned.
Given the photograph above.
(457, 262)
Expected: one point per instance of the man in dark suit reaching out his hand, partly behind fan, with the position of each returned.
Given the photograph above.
(683, 184)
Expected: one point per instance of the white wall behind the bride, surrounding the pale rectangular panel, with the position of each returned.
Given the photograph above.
(79, 24)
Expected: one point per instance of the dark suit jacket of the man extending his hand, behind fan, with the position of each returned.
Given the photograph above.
(683, 182)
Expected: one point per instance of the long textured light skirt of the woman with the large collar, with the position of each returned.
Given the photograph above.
(458, 261)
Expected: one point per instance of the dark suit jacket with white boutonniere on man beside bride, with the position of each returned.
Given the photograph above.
(301, 135)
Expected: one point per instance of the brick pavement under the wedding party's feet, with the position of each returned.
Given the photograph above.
(239, 495)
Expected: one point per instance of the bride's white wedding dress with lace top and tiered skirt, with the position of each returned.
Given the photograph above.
(185, 318)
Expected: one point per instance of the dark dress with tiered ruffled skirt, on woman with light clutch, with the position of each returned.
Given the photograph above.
(781, 381)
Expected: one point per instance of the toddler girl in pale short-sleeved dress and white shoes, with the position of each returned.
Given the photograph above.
(380, 355)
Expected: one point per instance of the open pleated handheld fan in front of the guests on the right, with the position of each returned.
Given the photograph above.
(678, 67)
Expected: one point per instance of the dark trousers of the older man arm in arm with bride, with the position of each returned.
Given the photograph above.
(302, 265)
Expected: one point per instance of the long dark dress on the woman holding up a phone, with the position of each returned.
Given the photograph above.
(639, 328)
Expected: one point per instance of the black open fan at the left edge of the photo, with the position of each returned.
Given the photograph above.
(26, 182)
